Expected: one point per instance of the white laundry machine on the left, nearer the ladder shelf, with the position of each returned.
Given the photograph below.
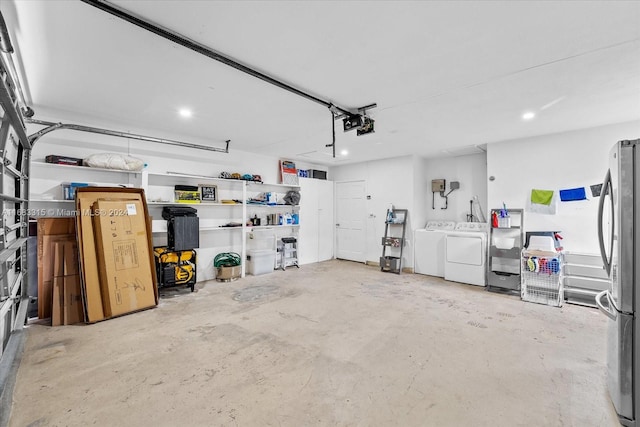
(428, 252)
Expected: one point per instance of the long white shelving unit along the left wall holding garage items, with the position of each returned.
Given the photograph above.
(215, 234)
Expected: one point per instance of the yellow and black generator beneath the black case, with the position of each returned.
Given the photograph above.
(175, 268)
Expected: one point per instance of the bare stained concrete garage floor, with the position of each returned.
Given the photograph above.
(331, 344)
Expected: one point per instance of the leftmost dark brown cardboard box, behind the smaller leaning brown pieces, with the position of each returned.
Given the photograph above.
(49, 231)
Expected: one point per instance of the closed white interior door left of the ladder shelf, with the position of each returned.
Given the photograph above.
(350, 221)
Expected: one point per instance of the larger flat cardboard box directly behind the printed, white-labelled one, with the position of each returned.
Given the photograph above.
(89, 275)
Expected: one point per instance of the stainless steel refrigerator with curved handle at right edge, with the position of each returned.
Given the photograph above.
(618, 212)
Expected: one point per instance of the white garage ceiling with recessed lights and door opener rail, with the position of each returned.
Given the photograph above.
(446, 76)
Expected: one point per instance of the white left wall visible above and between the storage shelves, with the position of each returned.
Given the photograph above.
(162, 158)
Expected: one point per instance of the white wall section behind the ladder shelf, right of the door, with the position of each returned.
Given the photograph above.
(388, 181)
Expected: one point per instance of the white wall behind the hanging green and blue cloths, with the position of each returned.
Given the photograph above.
(555, 162)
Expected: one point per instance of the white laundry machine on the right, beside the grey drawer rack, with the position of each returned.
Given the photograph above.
(466, 253)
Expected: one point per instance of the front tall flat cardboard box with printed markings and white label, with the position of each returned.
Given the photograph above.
(126, 273)
